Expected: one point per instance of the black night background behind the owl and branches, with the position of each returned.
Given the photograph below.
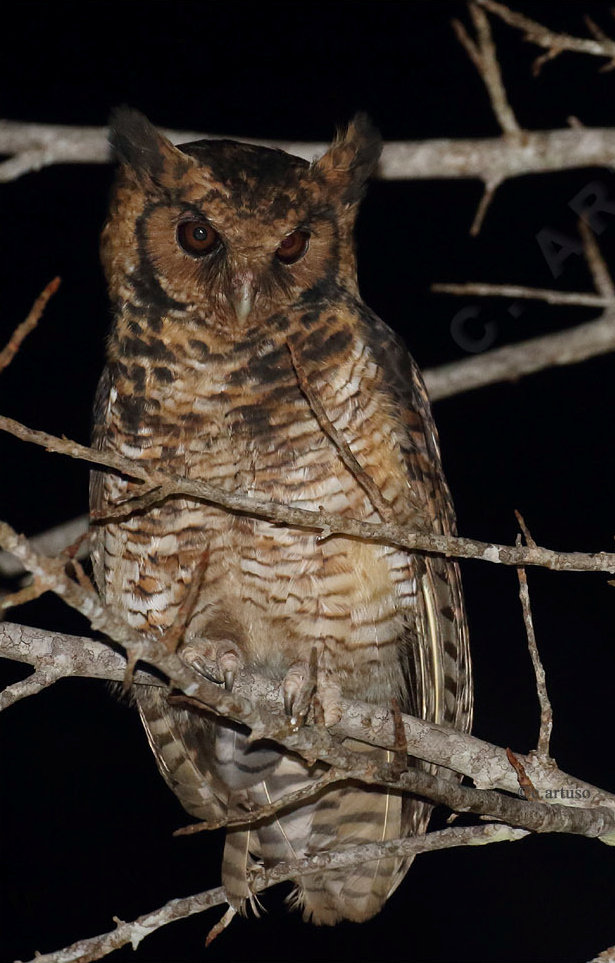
(87, 821)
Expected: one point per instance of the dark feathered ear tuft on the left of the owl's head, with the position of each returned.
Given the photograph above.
(139, 145)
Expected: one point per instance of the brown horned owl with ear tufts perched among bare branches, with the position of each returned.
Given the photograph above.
(232, 277)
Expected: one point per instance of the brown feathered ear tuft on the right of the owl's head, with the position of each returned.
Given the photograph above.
(352, 159)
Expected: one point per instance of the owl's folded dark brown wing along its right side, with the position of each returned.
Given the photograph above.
(437, 648)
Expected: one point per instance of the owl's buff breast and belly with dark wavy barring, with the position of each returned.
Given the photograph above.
(286, 590)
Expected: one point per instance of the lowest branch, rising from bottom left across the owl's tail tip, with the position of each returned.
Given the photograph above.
(98, 946)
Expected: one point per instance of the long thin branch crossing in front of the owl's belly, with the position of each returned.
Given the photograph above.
(327, 523)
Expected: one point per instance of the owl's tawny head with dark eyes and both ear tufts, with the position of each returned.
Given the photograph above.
(231, 233)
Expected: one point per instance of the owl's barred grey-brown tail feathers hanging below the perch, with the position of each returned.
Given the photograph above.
(335, 820)
